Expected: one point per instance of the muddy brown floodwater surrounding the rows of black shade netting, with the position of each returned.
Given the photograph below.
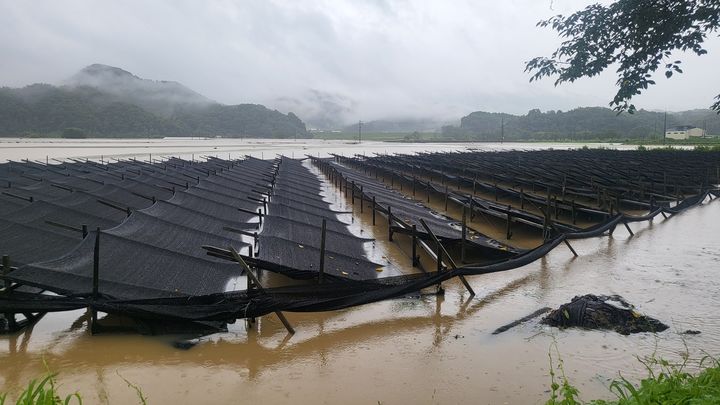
(426, 349)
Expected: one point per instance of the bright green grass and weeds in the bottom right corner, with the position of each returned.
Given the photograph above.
(667, 383)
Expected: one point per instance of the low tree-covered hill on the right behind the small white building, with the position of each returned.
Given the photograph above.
(581, 123)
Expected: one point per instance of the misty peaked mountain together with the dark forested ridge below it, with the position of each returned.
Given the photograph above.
(103, 101)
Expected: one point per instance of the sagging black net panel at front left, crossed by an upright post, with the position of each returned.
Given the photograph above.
(129, 270)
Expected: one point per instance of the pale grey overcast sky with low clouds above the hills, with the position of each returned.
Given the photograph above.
(350, 59)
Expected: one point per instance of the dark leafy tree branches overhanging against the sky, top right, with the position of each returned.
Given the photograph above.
(639, 36)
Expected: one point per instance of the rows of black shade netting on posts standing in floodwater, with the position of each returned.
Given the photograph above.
(200, 244)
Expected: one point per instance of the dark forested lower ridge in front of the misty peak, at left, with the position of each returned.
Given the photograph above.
(42, 109)
